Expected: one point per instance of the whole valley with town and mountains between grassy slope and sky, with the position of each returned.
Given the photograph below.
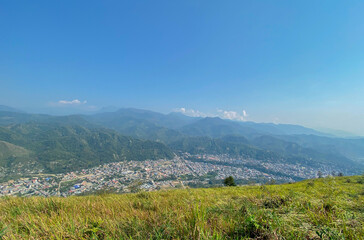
(133, 150)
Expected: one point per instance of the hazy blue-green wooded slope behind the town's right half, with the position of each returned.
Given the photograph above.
(270, 150)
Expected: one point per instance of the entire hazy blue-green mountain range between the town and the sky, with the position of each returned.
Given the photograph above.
(33, 143)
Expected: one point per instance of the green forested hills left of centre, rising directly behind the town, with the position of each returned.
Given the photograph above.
(55, 148)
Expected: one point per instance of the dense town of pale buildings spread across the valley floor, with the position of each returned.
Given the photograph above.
(183, 171)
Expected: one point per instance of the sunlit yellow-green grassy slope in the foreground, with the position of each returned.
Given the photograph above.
(329, 208)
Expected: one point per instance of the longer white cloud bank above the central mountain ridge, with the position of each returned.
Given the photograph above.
(225, 114)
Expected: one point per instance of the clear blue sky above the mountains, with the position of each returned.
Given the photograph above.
(281, 61)
